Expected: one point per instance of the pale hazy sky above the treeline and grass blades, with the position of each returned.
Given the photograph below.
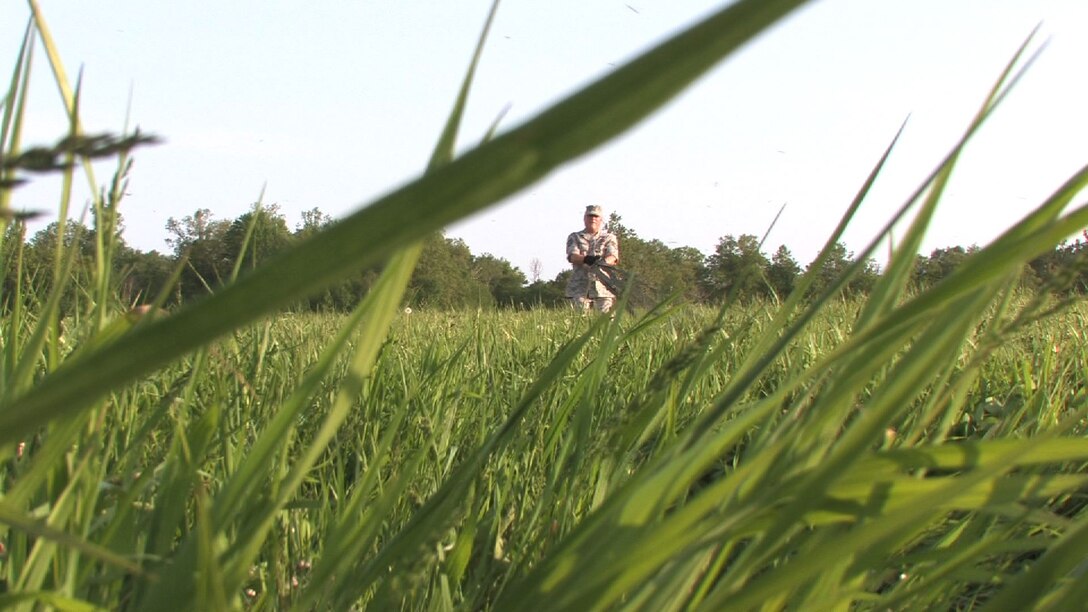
(331, 104)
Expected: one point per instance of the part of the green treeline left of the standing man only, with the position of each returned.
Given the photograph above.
(206, 252)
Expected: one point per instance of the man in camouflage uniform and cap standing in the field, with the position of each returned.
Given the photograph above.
(585, 251)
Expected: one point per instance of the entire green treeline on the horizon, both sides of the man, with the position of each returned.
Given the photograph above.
(206, 252)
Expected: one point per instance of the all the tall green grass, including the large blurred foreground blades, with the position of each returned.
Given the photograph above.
(910, 451)
